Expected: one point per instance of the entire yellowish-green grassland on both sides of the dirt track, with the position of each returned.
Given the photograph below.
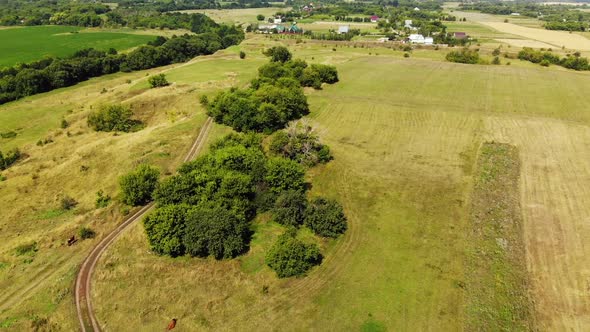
(405, 134)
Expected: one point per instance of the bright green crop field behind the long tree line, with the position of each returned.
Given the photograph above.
(25, 44)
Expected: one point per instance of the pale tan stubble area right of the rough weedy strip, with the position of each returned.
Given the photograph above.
(555, 186)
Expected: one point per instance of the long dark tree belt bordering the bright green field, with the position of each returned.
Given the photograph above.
(53, 73)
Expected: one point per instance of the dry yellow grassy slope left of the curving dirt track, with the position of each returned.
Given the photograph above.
(79, 163)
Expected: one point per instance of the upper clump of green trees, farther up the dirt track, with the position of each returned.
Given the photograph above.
(274, 98)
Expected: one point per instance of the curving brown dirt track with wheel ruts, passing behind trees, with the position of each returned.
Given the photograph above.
(82, 291)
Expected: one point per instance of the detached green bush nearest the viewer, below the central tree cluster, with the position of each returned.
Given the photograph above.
(290, 256)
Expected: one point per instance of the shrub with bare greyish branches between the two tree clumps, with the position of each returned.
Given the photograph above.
(300, 143)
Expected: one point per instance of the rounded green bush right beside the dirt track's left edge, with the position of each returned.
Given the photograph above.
(138, 186)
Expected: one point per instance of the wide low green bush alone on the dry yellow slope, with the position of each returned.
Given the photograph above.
(113, 118)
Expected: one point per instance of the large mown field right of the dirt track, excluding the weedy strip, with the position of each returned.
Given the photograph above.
(405, 134)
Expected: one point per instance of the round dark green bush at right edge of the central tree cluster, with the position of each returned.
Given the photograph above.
(326, 218)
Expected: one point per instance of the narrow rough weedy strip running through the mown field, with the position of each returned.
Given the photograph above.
(497, 278)
